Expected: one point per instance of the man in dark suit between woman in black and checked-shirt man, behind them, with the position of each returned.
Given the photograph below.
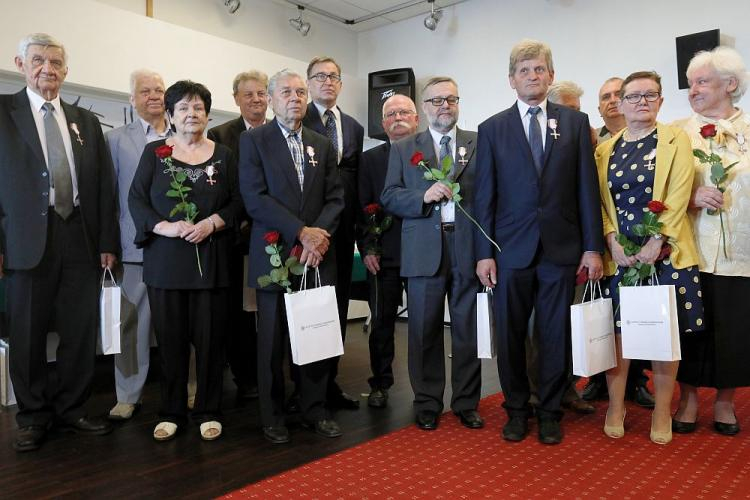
(250, 94)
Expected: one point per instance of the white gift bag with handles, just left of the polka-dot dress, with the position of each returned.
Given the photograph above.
(592, 334)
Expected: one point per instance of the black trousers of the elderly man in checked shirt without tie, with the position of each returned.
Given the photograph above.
(273, 340)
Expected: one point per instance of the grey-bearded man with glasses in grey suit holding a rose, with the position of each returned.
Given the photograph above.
(437, 256)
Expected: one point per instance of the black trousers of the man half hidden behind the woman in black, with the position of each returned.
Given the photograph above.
(242, 337)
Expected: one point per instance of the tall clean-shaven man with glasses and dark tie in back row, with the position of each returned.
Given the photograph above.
(347, 135)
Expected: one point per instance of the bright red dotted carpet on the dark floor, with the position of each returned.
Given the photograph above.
(454, 462)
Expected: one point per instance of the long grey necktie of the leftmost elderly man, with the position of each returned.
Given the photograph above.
(58, 163)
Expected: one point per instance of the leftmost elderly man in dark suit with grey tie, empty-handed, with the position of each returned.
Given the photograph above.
(57, 214)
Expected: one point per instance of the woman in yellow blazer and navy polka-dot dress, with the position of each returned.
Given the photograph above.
(644, 162)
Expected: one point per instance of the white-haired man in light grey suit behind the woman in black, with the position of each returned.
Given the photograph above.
(126, 145)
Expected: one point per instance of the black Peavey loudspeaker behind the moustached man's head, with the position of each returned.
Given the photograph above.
(381, 86)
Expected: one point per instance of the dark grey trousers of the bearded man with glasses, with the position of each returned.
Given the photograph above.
(426, 301)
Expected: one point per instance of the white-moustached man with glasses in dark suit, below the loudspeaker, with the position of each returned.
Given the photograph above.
(382, 255)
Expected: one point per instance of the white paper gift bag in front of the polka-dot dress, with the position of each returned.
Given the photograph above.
(648, 320)
